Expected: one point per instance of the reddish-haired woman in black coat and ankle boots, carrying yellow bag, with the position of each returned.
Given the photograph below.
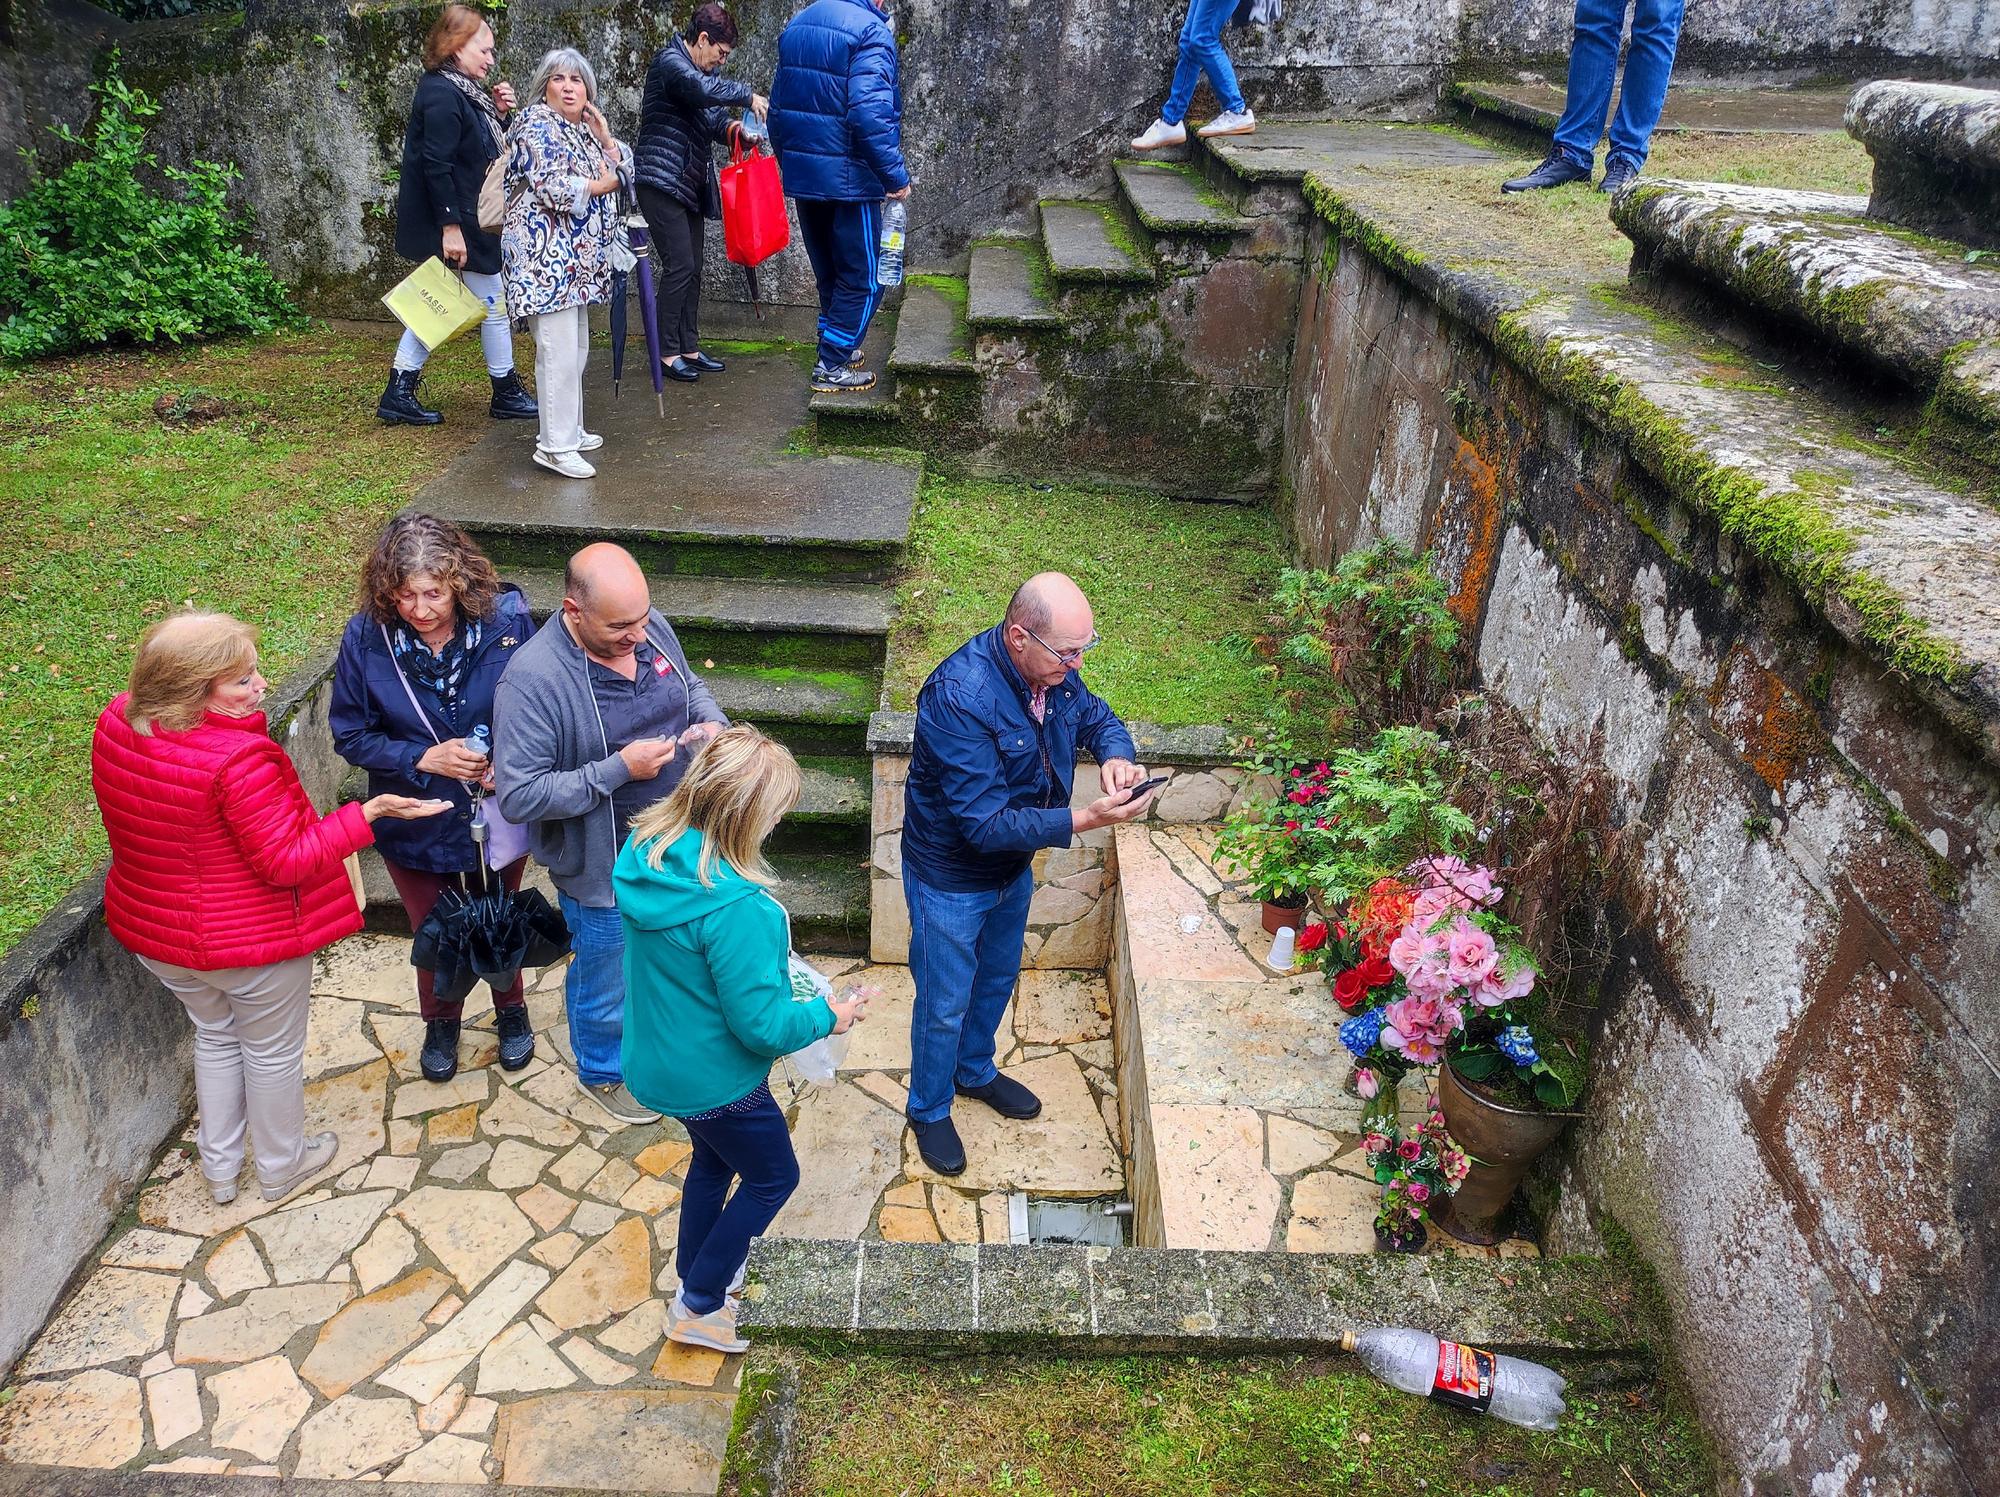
(451, 141)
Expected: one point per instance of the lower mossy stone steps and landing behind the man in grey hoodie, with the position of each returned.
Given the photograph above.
(775, 567)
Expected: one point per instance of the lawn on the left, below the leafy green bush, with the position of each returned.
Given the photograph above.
(113, 517)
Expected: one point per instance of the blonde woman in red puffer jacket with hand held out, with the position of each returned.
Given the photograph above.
(225, 882)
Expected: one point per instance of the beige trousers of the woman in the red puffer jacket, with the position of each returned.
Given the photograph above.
(249, 1062)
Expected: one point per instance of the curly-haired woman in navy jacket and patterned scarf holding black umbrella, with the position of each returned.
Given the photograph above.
(415, 679)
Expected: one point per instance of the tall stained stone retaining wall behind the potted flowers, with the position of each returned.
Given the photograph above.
(1799, 1060)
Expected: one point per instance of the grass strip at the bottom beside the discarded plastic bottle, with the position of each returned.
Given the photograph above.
(879, 1426)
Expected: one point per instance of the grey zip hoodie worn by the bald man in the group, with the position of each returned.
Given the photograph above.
(553, 768)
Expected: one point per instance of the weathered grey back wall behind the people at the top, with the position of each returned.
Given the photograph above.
(1003, 103)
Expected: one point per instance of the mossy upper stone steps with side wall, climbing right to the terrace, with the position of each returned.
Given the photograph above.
(1141, 337)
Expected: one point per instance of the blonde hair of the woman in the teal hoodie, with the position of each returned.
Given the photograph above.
(735, 794)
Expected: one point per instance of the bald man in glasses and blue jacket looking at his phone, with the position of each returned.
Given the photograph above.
(999, 727)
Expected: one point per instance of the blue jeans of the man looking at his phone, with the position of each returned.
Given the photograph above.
(965, 960)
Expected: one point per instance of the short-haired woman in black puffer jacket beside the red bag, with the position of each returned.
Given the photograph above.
(683, 117)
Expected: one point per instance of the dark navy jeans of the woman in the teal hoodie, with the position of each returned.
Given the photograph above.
(715, 1240)
